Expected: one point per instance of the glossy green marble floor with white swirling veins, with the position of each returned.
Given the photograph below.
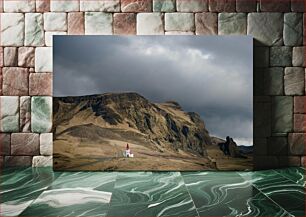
(42, 192)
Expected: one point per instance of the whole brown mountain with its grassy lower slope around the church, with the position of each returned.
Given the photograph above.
(99, 126)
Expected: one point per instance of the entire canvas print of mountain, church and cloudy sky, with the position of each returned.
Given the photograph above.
(153, 103)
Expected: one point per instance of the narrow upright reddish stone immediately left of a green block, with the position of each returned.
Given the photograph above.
(25, 114)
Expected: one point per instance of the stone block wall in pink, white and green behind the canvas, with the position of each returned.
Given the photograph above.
(27, 27)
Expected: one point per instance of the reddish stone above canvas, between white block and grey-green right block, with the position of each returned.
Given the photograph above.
(206, 23)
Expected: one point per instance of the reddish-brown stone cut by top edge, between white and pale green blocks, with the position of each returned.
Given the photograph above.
(136, 5)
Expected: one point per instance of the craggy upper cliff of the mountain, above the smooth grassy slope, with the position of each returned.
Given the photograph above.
(163, 124)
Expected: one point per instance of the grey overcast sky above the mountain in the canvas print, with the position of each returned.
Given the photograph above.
(211, 75)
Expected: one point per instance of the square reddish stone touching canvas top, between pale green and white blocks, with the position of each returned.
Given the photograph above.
(124, 24)
